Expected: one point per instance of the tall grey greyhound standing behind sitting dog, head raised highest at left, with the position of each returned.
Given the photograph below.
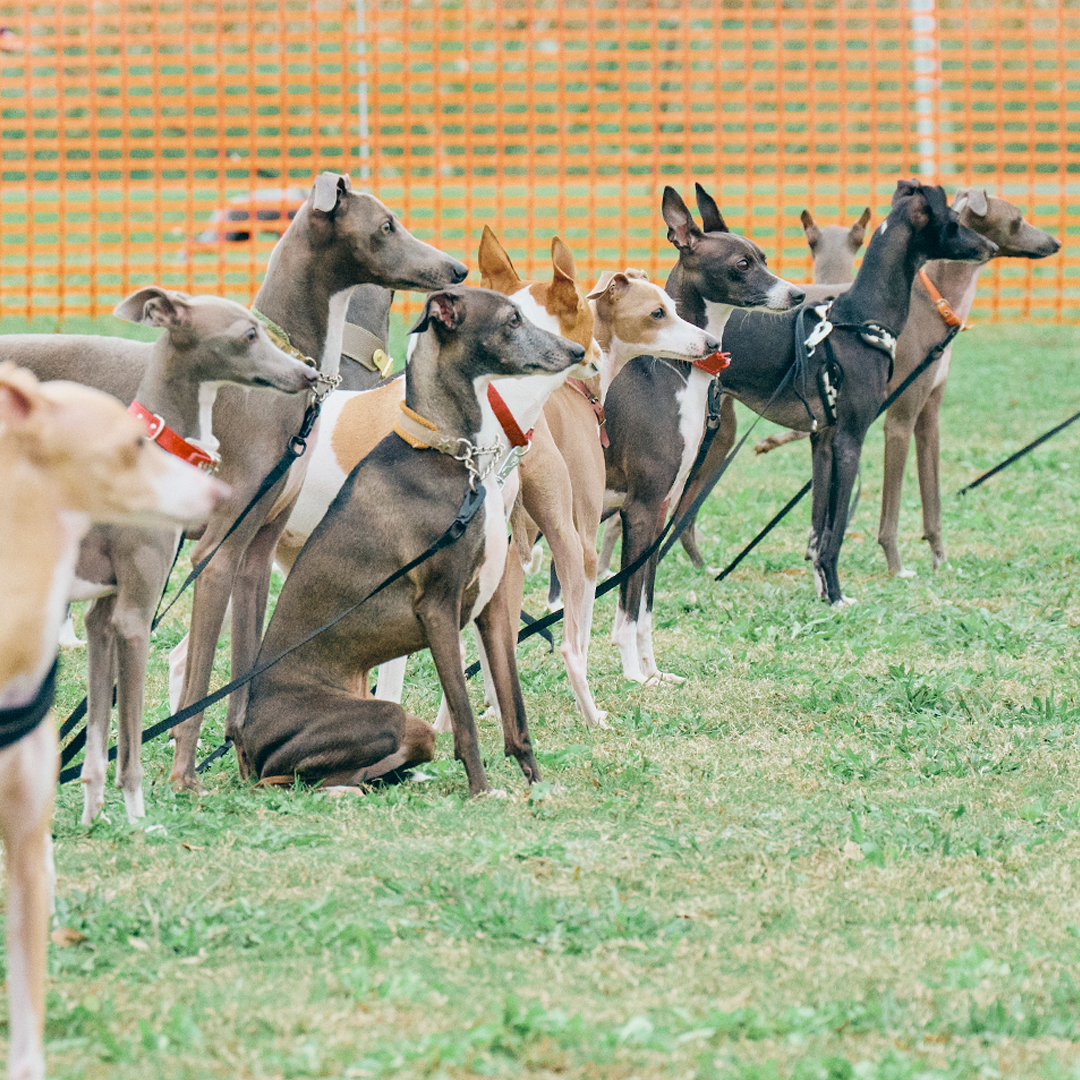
(340, 238)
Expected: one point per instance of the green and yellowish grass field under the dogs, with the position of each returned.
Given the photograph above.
(847, 847)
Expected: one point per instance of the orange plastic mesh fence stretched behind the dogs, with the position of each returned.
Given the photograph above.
(168, 141)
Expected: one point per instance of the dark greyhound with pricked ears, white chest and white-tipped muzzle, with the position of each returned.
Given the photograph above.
(656, 410)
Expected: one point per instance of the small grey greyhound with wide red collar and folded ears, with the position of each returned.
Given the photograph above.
(208, 343)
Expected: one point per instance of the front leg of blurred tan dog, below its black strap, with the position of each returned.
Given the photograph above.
(30, 780)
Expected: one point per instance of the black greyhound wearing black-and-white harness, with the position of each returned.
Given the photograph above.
(845, 382)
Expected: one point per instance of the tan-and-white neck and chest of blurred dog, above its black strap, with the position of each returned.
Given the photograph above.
(35, 578)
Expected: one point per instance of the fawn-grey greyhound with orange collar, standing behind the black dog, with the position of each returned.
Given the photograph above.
(947, 294)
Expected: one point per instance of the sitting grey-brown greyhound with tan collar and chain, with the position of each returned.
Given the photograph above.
(312, 715)
